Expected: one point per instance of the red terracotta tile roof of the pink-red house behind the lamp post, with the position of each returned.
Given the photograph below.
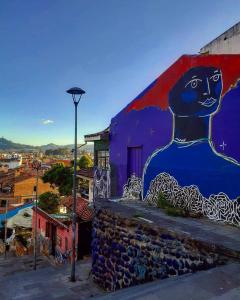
(84, 212)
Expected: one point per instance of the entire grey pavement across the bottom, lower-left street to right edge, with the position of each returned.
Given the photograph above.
(48, 282)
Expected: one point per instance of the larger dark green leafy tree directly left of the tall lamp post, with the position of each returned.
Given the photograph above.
(61, 177)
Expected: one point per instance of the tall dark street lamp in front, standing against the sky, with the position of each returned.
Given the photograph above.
(76, 96)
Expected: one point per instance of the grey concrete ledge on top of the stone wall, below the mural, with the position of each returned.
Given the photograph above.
(223, 238)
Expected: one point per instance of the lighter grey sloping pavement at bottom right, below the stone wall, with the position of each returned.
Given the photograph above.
(222, 283)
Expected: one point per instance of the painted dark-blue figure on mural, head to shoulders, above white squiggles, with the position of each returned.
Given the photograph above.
(190, 157)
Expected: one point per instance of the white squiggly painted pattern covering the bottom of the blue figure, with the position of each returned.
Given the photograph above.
(217, 207)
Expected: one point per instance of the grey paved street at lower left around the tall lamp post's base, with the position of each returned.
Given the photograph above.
(48, 282)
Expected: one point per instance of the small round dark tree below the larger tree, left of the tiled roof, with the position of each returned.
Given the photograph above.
(49, 202)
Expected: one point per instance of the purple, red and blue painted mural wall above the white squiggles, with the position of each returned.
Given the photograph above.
(185, 124)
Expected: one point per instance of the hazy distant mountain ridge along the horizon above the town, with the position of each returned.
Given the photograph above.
(7, 145)
